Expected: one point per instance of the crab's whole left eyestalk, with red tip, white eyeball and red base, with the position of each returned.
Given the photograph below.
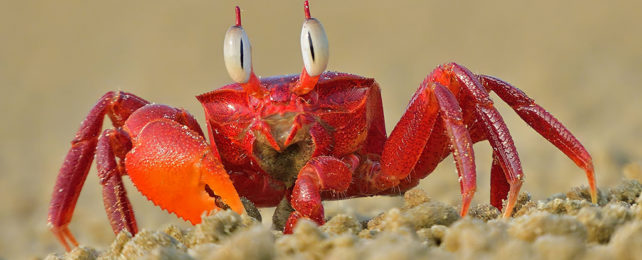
(237, 53)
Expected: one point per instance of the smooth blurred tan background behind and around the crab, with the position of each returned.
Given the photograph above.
(582, 60)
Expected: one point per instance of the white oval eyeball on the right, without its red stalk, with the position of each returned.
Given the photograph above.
(314, 47)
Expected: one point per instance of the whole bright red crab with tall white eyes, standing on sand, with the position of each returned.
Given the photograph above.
(293, 141)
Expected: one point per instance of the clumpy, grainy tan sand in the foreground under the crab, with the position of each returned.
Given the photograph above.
(565, 226)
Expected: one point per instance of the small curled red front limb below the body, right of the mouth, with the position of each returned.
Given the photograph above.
(322, 173)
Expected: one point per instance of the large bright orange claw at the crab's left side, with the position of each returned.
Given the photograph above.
(175, 168)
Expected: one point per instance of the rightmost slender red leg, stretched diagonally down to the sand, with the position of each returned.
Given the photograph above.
(546, 125)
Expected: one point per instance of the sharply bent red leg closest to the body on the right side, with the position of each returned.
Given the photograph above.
(407, 142)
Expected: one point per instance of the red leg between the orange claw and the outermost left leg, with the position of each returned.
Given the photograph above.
(119, 209)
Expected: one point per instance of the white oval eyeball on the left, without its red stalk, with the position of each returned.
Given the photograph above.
(237, 53)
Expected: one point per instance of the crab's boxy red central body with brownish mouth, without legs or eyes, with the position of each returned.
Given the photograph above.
(264, 145)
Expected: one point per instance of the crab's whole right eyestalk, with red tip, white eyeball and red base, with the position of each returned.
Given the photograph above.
(315, 52)
